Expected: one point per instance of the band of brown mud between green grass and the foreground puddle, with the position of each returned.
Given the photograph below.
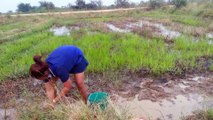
(127, 85)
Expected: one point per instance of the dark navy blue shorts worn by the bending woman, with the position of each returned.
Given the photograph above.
(81, 67)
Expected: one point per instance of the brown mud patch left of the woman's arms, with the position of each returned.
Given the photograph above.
(15, 92)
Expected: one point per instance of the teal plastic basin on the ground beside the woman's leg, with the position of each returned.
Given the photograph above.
(98, 98)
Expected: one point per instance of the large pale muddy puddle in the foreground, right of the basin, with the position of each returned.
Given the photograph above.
(171, 109)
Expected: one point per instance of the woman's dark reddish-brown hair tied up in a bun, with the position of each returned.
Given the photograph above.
(38, 69)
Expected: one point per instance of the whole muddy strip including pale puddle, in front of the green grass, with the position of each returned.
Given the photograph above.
(165, 97)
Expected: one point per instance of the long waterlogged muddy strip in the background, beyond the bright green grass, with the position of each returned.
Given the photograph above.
(142, 27)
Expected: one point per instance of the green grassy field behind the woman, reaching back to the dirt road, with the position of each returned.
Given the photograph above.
(106, 51)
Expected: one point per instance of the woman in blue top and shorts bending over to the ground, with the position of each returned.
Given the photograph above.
(59, 64)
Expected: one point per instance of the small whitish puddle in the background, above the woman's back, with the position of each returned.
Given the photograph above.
(60, 31)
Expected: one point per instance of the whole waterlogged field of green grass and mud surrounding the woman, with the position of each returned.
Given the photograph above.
(154, 65)
